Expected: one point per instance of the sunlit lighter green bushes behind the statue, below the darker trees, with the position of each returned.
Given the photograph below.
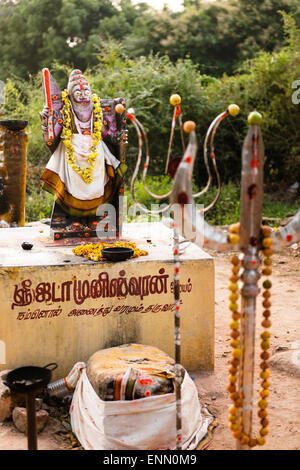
(147, 83)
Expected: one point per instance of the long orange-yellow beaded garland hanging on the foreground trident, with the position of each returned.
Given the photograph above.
(235, 421)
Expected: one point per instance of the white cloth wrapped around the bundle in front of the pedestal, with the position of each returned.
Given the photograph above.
(143, 424)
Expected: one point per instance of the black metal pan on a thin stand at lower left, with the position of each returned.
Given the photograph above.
(29, 381)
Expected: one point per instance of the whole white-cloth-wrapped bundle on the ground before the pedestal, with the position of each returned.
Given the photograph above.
(147, 422)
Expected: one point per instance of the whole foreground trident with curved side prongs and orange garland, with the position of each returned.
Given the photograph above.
(256, 244)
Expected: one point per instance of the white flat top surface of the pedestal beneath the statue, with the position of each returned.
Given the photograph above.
(156, 238)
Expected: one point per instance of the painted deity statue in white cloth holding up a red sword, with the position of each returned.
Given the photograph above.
(87, 136)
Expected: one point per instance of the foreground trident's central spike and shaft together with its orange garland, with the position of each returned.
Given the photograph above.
(252, 240)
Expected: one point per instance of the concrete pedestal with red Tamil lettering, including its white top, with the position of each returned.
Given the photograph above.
(57, 307)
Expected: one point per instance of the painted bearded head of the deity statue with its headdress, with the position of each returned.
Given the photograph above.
(80, 96)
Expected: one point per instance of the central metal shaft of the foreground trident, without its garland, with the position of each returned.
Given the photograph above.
(250, 229)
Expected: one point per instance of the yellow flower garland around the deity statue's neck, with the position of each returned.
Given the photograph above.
(85, 173)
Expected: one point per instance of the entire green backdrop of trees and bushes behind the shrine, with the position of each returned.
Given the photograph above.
(211, 54)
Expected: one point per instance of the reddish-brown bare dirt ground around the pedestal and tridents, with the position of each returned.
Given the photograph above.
(284, 400)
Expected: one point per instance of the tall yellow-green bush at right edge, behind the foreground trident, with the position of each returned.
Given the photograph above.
(266, 85)
